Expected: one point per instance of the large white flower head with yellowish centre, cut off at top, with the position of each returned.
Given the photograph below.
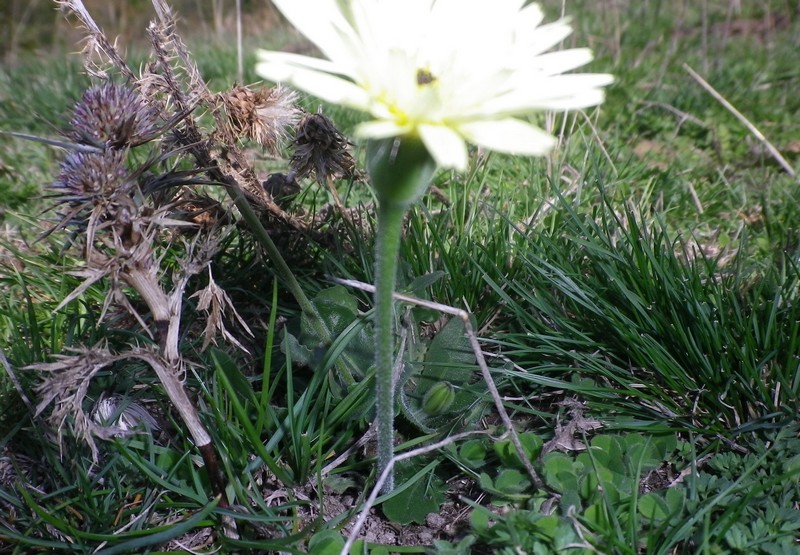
(447, 71)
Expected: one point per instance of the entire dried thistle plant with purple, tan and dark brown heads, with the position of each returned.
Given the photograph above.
(126, 213)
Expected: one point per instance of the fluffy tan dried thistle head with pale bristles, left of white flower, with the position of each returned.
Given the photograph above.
(262, 115)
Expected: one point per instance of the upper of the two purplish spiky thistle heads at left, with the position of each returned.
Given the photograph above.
(112, 115)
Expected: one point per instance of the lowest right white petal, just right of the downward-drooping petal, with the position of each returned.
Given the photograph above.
(508, 135)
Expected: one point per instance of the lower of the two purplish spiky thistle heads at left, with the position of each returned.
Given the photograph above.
(88, 176)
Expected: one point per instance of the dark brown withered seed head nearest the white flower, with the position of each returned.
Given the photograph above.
(320, 150)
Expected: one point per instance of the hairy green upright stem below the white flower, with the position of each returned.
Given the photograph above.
(387, 248)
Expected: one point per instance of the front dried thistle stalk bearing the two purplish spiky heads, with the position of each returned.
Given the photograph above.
(120, 232)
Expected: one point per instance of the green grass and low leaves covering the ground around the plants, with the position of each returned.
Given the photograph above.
(645, 273)
